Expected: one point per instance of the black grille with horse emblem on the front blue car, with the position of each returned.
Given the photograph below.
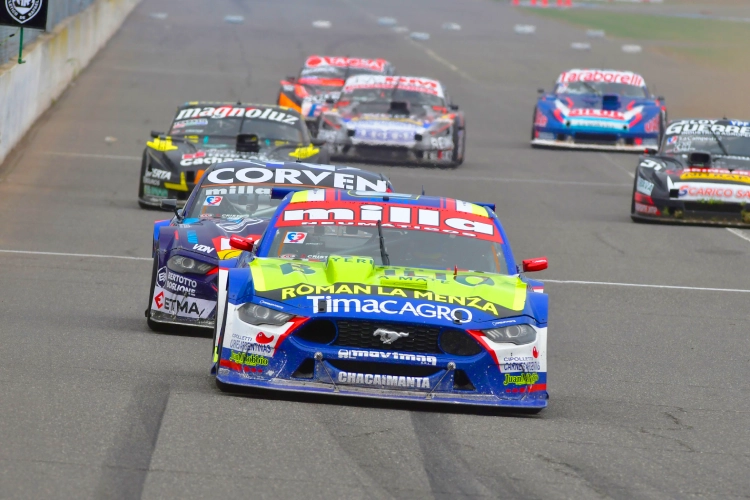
(420, 338)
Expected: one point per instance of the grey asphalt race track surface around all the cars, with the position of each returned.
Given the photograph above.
(647, 384)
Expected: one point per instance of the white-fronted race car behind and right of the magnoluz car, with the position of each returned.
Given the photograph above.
(395, 119)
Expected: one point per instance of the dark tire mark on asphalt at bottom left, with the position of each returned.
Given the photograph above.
(125, 470)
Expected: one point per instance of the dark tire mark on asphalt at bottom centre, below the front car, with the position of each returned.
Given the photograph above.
(449, 474)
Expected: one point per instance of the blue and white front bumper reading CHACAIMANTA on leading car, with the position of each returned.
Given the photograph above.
(276, 358)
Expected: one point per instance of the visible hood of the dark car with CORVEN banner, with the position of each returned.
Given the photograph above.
(210, 237)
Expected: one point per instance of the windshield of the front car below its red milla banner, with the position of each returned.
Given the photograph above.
(407, 248)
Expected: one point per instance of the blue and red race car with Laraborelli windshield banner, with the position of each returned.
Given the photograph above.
(598, 109)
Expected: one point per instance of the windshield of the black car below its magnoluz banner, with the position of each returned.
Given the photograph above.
(229, 126)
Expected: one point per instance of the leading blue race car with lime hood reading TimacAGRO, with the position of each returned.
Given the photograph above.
(385, 296)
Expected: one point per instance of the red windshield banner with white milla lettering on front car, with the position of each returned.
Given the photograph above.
(393, 216)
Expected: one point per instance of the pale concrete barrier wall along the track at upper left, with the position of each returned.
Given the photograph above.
(52, 62)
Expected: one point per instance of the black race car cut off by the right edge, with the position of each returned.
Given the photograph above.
(701, 174)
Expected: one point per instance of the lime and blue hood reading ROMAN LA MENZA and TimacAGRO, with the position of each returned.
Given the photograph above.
(354, 286)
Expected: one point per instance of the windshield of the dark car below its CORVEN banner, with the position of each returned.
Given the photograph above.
(225, 202)
